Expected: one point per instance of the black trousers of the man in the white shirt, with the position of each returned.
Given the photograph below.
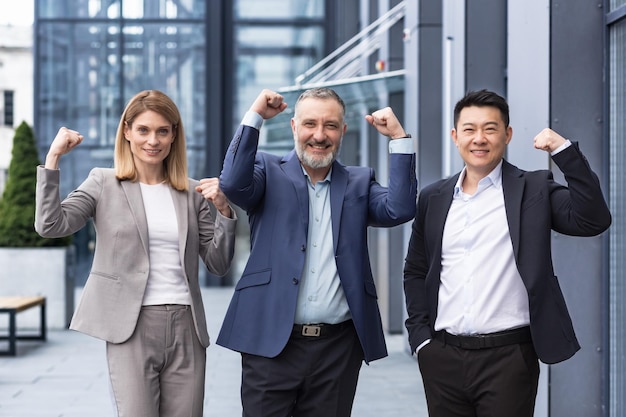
(492, 382)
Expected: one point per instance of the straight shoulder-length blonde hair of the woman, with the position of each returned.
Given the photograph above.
(175, 164)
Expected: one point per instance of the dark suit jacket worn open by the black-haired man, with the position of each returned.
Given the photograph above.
(535, 205)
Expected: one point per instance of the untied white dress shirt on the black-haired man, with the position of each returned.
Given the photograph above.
(481, 290)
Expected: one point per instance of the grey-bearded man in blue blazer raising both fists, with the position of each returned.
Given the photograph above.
(304, 314)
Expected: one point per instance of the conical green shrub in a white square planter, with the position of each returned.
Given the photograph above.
(32, 265)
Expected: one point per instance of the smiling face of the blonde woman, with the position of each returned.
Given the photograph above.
(150, 137)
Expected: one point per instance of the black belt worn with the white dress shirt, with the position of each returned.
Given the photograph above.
(486, 341)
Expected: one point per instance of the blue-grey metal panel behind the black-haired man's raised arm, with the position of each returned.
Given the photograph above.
(578, 385)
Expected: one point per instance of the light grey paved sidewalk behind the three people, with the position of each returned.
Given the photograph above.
(66, 376)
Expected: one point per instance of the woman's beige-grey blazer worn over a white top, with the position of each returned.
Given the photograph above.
(111, 300)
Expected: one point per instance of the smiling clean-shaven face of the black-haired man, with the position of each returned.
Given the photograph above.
(481, 137)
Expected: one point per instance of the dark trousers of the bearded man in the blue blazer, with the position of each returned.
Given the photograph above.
(311, 377)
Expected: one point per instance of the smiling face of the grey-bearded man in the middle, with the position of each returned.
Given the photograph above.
(318, 128)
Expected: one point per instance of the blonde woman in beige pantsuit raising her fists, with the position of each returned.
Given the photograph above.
(152, 225)
